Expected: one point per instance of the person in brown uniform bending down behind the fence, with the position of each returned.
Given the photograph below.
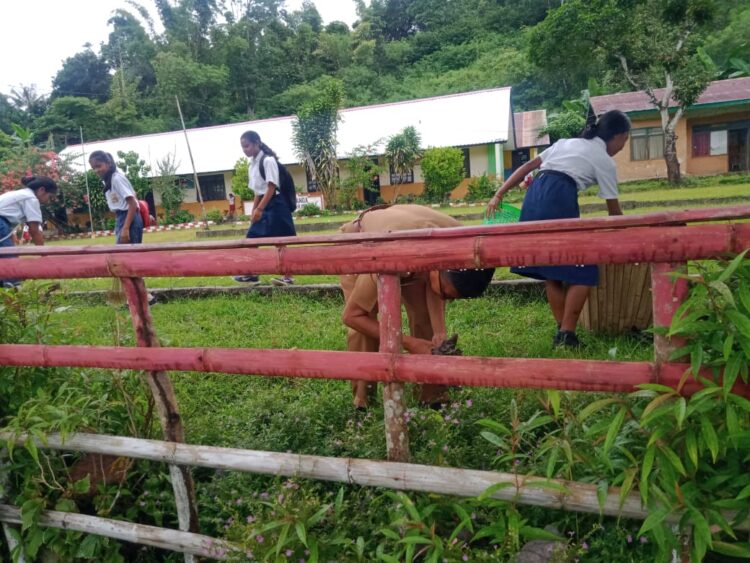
(423, 294)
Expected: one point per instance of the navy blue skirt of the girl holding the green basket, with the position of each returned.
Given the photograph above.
(554, 195)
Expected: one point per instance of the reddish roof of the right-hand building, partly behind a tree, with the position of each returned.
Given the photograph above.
(733, 90)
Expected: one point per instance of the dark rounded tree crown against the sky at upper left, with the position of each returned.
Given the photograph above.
(84, 74)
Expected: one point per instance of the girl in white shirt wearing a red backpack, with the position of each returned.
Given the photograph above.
(121, 198)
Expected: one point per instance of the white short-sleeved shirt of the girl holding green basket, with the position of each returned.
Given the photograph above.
(586, 161)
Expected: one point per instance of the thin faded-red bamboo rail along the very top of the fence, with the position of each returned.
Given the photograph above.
(559, 225)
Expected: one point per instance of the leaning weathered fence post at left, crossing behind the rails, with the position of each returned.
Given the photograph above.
(166, 405)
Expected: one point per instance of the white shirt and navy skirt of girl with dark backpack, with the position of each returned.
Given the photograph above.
(276, 220)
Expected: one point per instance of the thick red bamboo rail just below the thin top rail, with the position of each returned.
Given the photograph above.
(642, 244)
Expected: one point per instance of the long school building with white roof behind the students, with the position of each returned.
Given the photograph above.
(494, 141)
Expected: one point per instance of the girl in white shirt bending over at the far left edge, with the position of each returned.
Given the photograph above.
(23, 206)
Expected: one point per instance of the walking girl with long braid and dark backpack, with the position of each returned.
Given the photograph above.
(271, 217)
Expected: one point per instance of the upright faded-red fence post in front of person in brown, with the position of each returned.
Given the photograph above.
(394, 401)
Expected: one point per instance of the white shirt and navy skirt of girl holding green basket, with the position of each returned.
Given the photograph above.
(568, 167)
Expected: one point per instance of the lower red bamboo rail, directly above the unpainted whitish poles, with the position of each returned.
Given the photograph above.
(572, 375)
